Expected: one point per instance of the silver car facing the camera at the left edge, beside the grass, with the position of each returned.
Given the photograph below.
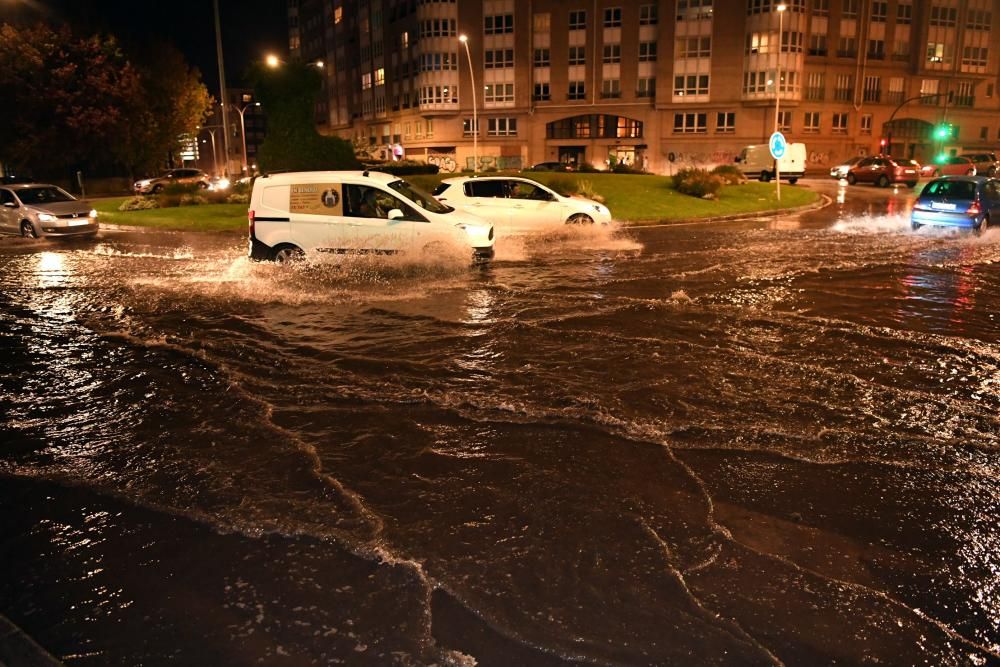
(34, 210)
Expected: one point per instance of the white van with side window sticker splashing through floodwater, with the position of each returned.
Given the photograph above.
(308, 212)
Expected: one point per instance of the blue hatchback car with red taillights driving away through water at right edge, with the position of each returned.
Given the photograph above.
(969, 202)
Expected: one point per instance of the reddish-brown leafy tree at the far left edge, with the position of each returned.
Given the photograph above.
(69, 98)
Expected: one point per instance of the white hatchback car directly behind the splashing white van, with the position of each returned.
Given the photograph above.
(518, 205)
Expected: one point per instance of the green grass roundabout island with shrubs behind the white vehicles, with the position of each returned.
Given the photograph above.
(632, 199)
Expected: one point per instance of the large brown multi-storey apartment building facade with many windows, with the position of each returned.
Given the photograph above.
(653, 84)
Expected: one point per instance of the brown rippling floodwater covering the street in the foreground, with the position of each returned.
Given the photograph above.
(773, 441)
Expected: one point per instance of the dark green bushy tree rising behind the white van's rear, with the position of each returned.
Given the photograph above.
(288, 94)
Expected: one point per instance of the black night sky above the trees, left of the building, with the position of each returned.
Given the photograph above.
(250, 28)
